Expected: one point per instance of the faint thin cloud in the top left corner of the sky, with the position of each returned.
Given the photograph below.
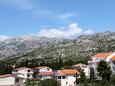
(20, 4)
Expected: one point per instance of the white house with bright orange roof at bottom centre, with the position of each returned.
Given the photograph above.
(67, 77)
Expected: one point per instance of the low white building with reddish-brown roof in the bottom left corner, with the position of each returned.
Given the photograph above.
(11, 80)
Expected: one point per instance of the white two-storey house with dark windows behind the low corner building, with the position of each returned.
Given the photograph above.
(24, 72)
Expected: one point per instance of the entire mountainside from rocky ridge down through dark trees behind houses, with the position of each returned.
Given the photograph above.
(53, 52)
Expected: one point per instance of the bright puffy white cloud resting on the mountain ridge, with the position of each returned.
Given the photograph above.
(70, 31)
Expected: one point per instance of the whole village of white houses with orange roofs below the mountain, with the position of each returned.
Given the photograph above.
(65, 76)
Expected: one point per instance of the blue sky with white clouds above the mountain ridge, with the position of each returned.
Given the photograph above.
(56, 18)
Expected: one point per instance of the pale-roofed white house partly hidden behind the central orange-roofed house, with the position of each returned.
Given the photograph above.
(83, 67)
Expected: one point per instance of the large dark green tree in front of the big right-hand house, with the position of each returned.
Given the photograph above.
(104, 70)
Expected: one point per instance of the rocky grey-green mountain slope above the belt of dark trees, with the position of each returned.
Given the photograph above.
(33, 47)
